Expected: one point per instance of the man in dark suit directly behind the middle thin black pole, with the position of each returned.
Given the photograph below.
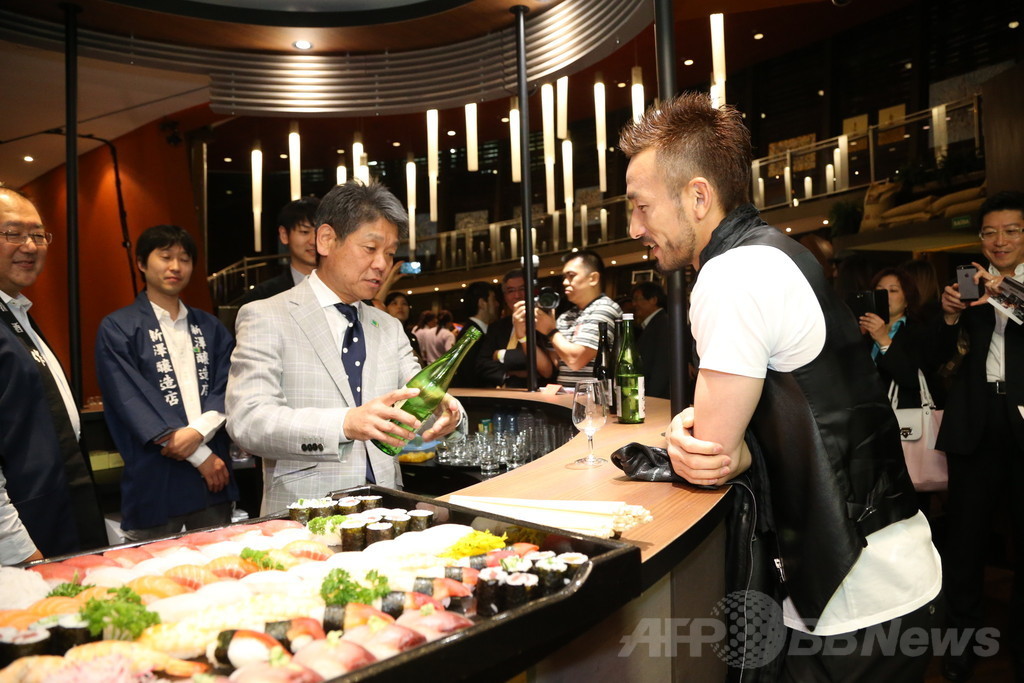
(502, 360)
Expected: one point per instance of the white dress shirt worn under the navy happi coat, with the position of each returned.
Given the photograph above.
(183, 356)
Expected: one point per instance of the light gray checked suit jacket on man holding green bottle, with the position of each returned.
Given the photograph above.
(288, 395)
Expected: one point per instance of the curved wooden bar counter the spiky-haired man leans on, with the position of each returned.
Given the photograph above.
(682, 549)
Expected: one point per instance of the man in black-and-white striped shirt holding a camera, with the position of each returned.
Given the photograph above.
(574, 337)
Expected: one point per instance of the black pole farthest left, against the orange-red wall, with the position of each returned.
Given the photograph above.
(71, 152)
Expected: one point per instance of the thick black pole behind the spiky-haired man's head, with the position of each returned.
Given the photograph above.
(680, 394)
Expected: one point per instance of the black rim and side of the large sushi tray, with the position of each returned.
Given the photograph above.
(499, 648)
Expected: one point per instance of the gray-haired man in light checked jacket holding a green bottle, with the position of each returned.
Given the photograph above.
(298, 395)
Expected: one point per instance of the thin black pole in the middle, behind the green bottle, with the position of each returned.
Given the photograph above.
(528, 205)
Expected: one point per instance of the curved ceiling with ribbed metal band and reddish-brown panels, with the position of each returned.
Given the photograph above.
(132, 71)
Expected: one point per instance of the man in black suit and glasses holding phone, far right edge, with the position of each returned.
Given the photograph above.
(984, 437)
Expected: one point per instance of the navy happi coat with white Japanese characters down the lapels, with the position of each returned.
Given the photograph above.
(142, 402)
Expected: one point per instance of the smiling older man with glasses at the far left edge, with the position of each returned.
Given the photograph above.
(48, 503)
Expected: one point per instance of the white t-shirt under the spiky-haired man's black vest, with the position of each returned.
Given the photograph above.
(752, 310)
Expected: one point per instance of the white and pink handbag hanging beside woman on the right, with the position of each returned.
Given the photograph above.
(919, 429)
